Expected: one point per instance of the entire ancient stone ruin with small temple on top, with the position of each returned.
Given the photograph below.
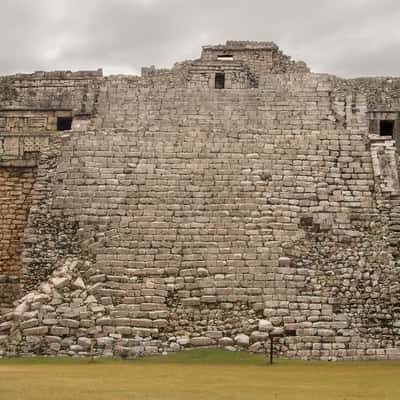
(211, 204)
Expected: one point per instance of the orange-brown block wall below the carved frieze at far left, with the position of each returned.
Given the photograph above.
(15, 200)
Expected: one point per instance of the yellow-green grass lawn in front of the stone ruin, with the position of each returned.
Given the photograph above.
(194, 375)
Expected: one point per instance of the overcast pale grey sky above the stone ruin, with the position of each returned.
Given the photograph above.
(345, 37)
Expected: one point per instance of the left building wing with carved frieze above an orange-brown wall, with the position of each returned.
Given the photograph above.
(32, 108)
